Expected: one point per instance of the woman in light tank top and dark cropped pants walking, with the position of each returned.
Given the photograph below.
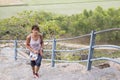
(34, 42)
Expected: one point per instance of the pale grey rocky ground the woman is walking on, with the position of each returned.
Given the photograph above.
(20, 70)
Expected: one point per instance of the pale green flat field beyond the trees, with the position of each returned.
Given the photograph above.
(66, 7)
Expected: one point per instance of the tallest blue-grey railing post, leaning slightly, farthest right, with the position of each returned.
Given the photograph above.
(91, 50)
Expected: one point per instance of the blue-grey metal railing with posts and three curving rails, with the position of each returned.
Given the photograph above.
(90, 48)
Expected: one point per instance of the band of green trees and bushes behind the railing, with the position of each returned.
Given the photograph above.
(55, 25)
